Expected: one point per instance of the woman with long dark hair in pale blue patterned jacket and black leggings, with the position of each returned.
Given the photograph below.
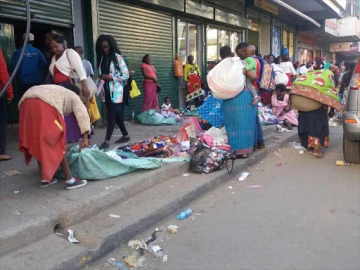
(114, 72)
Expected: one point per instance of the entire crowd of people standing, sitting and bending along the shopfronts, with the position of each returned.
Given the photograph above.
(52, 115)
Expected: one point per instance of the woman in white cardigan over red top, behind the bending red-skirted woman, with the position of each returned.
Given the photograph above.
(62, 64)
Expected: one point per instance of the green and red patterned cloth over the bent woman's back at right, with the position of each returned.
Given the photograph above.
(316, 85)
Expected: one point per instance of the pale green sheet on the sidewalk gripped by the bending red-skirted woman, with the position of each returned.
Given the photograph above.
(93, 164)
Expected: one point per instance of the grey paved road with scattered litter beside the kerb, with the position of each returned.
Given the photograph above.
(305, 216)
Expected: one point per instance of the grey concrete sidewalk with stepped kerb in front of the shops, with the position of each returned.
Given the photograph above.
(29, 215)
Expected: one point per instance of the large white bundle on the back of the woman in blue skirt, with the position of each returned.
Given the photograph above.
(226, 80)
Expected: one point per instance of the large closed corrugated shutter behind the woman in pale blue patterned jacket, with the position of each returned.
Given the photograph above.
(140, 31)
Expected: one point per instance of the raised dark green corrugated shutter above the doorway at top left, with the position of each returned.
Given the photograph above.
(54, 12)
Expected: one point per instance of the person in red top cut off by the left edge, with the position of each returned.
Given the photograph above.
(4, 100)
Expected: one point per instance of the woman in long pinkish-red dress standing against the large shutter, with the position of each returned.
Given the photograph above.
(150, 85)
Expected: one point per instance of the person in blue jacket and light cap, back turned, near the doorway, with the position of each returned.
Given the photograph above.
(32, 66)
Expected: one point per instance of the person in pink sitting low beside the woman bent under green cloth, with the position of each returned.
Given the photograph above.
(281, 107)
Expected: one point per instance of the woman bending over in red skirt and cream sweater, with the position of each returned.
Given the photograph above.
(42, 130)
